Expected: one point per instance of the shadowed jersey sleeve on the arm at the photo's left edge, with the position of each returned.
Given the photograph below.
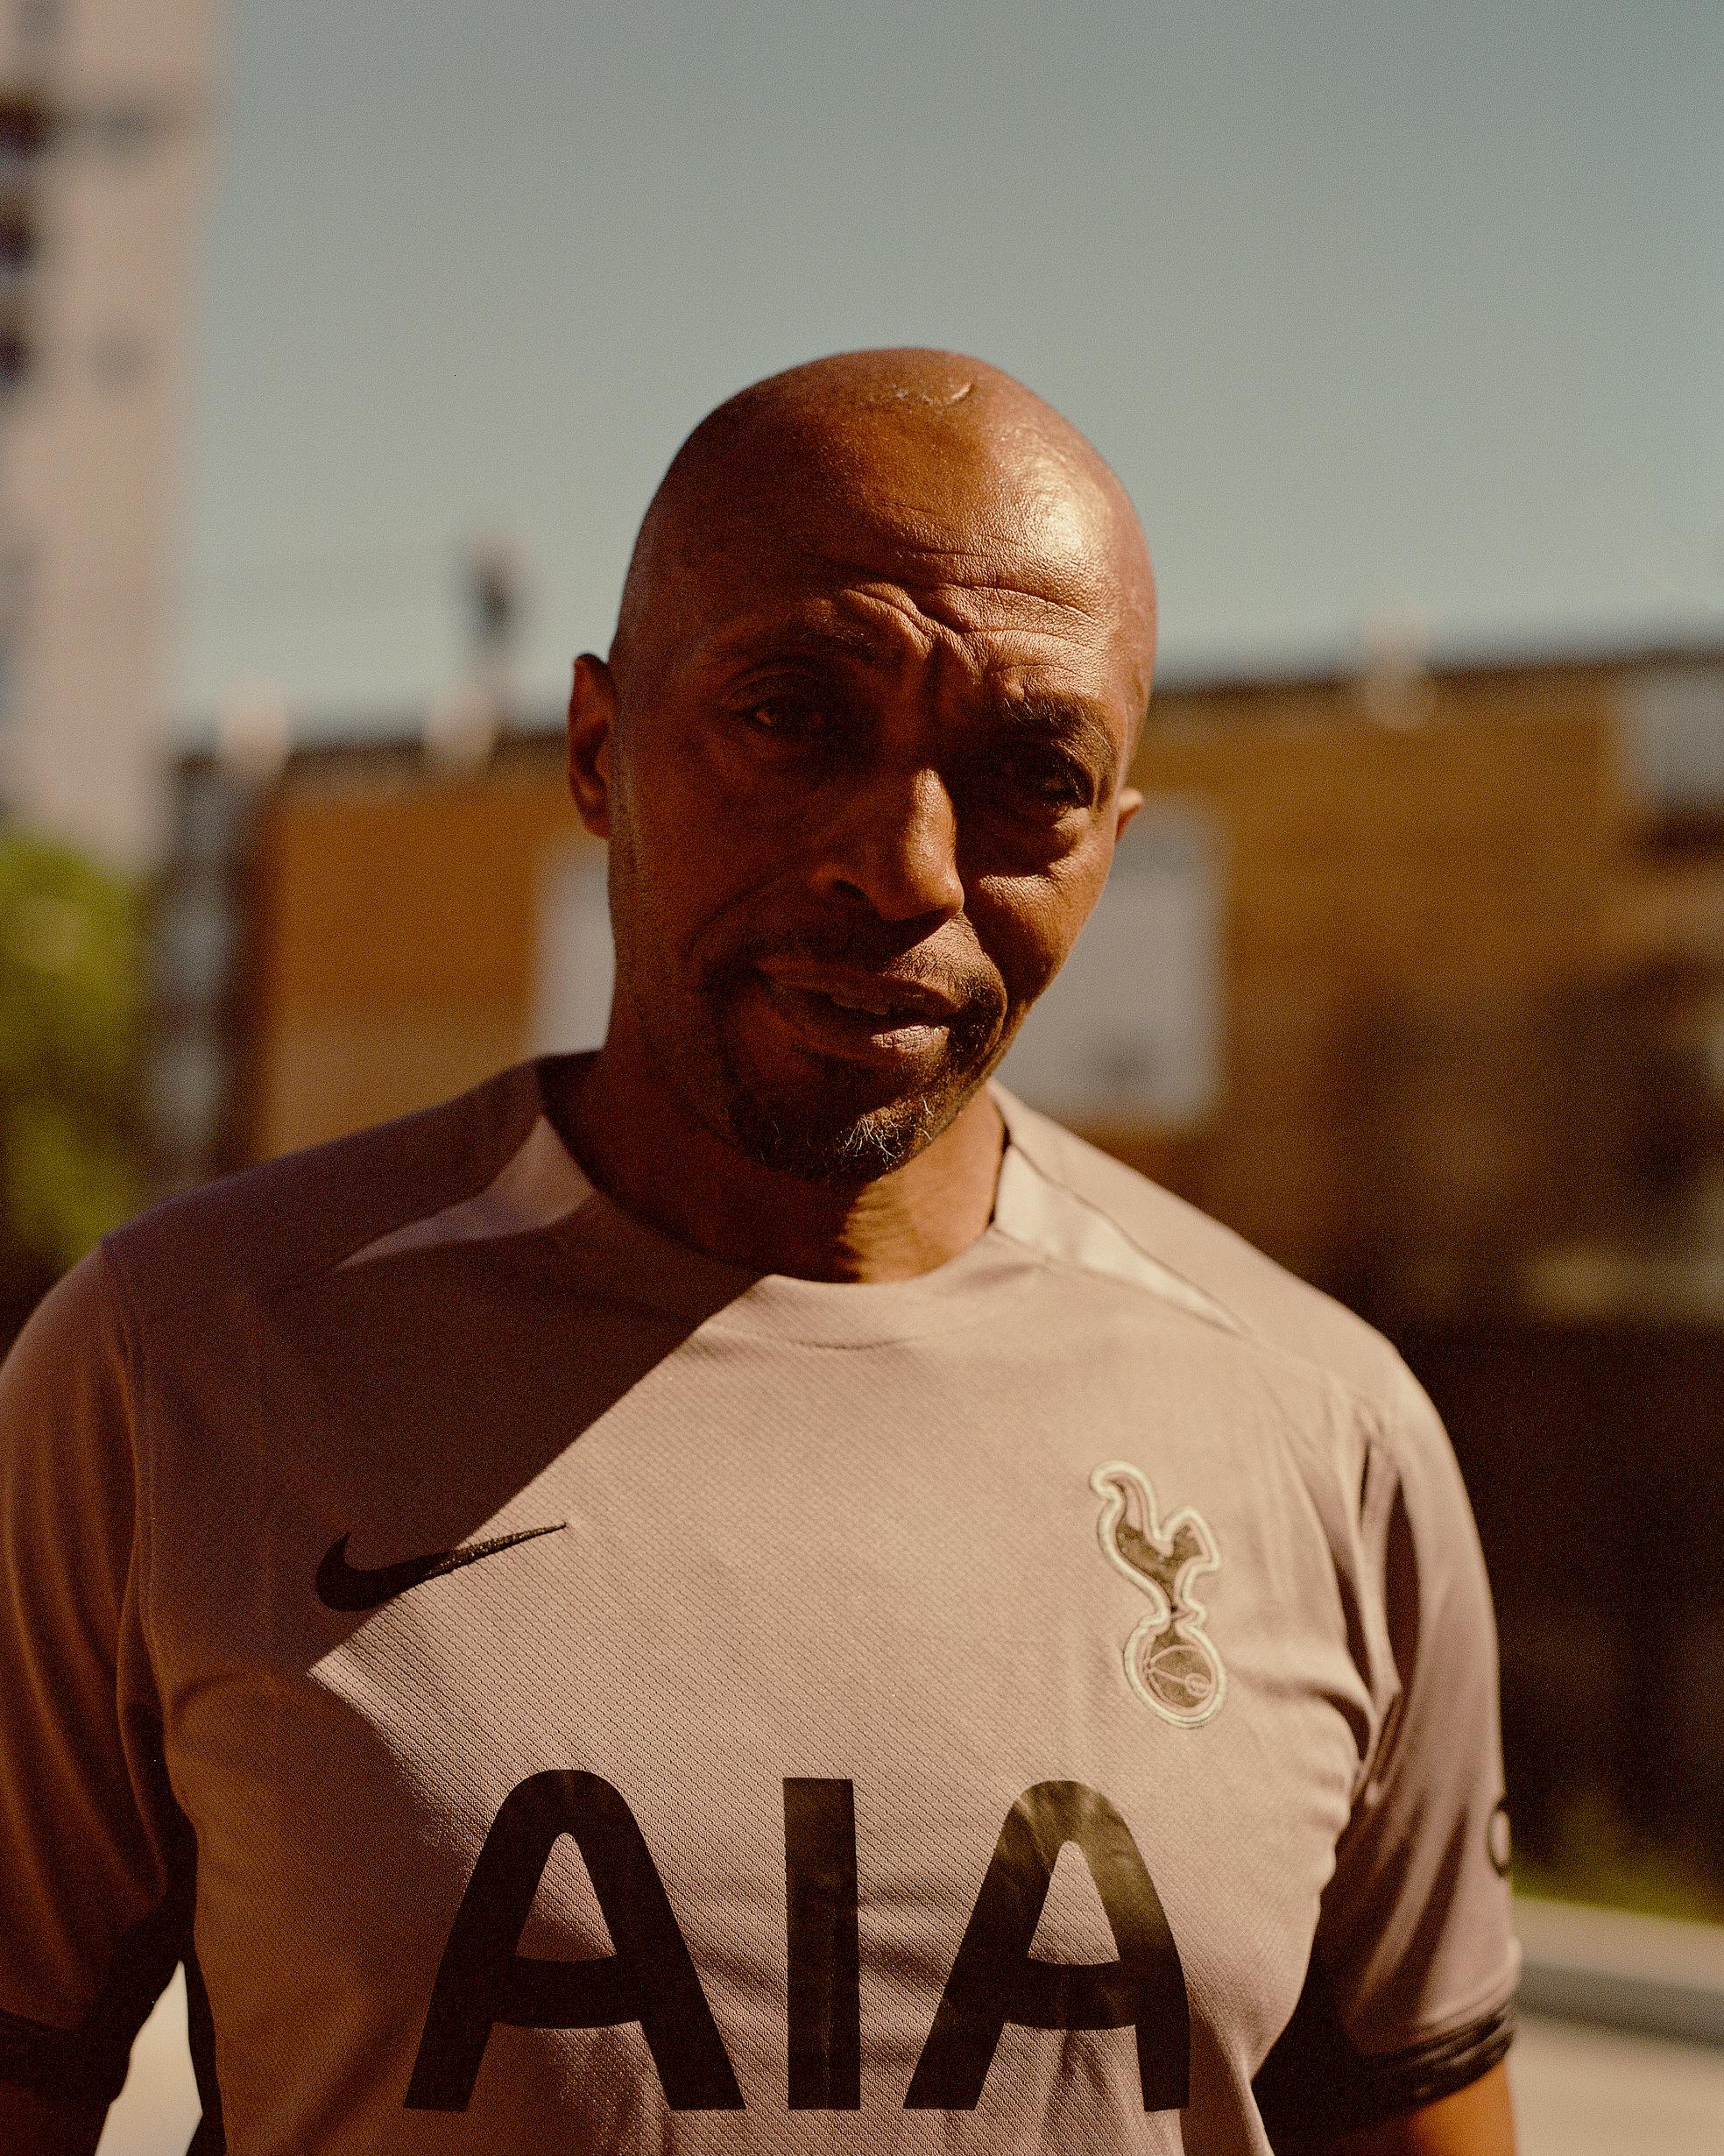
(94, 1885)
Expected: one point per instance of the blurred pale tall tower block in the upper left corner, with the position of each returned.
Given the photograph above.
(105, 135)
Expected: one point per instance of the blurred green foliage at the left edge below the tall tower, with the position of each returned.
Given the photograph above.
(72, 969)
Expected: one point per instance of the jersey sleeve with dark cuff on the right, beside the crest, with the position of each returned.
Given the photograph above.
(1415, 1965)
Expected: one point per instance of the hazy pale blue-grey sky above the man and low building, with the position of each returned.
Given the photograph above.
(1372, 307)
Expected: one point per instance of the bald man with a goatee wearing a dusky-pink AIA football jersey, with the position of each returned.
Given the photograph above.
(747, 1592)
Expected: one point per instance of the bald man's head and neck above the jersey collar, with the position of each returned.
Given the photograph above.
(863, 734)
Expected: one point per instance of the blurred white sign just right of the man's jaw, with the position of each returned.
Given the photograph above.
(1132, 1027)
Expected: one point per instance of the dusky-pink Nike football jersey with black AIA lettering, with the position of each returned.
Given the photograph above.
(559, 1691)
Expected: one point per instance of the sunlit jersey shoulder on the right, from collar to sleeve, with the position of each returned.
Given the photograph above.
(1216, 1267)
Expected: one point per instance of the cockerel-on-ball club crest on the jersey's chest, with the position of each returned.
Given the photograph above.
(1169, 1657)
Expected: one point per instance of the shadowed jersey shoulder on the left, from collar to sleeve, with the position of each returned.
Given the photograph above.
(305, 1213)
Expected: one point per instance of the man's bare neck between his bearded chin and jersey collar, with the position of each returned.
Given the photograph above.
(648, 1152)
